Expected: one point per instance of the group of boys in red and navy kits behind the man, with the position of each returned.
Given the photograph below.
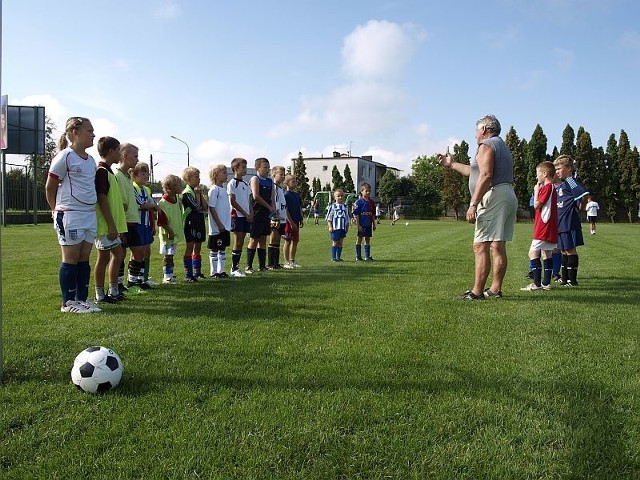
(558, 198)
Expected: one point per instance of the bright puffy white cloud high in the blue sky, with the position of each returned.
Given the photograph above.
(379, 50)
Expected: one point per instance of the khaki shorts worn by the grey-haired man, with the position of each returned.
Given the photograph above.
(496, 217)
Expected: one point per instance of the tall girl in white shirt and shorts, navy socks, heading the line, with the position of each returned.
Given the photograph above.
(71, 194)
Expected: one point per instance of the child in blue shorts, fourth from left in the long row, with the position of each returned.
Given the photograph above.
(147, 210)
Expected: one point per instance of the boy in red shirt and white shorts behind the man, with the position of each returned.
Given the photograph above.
(545, 230)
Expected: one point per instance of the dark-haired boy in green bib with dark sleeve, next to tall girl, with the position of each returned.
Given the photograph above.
(111, 223)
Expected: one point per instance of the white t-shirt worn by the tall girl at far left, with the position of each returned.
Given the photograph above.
(77, 177)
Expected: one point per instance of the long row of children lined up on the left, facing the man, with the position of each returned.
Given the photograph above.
(93, 204)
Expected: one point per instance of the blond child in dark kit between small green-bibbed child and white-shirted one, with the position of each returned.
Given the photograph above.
(195, 206)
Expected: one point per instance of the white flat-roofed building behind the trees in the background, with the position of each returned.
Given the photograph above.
(363, 170)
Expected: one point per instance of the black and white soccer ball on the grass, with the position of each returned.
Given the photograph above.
(97, 369)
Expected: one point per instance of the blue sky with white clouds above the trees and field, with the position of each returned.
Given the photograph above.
(395, 79)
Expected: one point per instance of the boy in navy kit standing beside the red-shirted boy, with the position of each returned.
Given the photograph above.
(571, 197)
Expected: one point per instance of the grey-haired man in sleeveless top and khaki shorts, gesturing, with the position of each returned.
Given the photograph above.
(492, 207)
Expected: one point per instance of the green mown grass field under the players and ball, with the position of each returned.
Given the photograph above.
(345, 370)
